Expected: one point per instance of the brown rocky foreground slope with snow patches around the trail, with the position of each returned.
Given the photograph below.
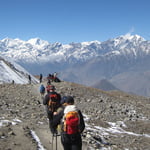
(114, 120)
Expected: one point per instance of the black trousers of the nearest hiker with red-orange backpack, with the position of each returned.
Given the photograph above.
(71, 142)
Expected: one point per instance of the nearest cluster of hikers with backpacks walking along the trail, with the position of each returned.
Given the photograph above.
(65, 119)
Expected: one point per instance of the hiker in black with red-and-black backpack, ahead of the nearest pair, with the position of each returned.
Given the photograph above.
(52, 102)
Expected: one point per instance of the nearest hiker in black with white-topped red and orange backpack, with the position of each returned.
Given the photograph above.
(72, 125)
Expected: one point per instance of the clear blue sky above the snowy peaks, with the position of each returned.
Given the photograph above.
(67, 21)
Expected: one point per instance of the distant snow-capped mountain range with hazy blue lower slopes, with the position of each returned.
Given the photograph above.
(123, 60)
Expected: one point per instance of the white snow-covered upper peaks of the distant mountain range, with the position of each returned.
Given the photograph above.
(35, 50)
